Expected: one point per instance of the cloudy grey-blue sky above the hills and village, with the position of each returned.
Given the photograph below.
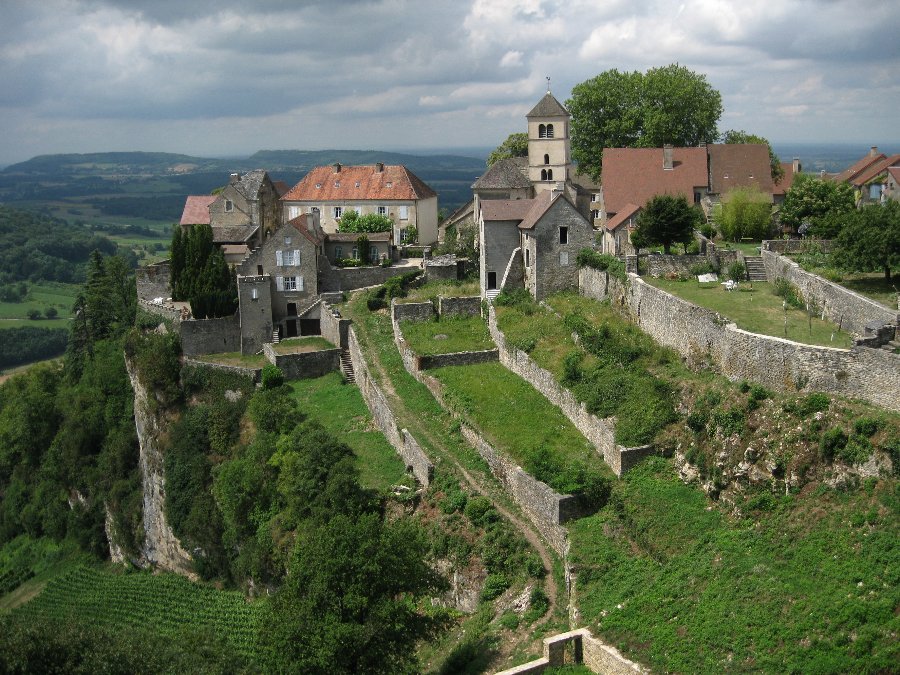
(228, 78)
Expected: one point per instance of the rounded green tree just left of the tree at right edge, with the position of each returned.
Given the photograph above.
(817, 202)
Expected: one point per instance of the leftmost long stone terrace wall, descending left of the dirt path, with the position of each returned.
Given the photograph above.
(406, 446)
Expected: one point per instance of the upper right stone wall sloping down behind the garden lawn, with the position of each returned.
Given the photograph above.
(851, 311)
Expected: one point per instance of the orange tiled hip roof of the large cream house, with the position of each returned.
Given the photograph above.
(355, 183)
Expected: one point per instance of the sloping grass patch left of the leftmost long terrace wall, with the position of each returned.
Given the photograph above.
(341, 410)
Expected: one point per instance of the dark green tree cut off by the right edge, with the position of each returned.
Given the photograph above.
(870, 240)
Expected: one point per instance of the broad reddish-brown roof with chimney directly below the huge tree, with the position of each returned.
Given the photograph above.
(636, 175)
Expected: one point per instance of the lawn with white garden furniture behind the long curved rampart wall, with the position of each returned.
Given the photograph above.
(757, 310)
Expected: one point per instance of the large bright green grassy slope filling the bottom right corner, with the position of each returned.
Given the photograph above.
(811, 585)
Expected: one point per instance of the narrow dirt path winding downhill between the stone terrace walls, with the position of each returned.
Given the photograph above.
(525, 528)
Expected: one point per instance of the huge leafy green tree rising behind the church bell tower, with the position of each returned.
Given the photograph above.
(616, 109)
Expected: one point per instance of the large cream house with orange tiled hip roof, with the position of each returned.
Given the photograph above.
(391, 191)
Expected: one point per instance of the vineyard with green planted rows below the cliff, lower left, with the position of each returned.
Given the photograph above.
(166, 604)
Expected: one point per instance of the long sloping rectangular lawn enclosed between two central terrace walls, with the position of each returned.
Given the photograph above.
(518, 421)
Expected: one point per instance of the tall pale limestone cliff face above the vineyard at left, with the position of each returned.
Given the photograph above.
(161, 547)
